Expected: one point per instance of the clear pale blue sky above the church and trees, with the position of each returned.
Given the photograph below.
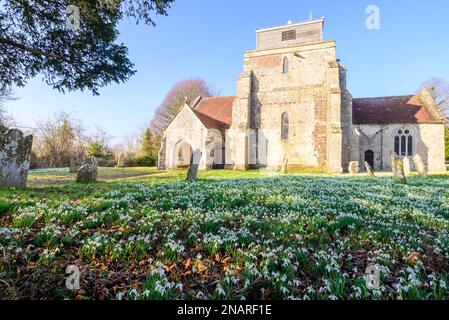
(206, 38)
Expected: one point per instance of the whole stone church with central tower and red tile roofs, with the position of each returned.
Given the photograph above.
(292, 107)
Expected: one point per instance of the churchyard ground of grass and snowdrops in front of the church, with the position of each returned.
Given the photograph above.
(143, 234)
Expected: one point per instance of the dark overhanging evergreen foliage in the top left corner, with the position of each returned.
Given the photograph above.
(34, 40)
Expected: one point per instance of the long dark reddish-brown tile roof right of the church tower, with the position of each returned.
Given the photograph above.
(388, 110)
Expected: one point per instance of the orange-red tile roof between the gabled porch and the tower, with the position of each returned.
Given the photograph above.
(215, 112)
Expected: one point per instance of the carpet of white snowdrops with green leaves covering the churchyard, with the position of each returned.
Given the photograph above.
(286, 237)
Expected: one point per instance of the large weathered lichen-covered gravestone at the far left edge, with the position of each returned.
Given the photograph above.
(15, 157)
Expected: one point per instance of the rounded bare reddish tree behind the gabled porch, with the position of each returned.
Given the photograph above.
(183, 91)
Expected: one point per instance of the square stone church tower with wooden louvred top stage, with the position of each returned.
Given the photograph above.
(292, 104)
